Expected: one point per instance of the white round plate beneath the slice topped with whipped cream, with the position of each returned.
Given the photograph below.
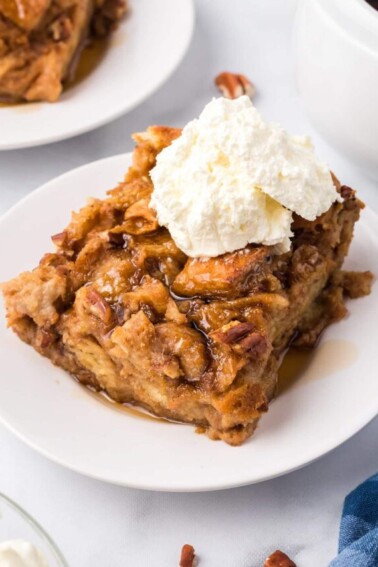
(334, 398)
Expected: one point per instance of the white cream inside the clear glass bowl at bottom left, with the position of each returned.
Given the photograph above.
(20, 553)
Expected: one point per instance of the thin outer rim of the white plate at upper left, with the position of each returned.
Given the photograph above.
(112, 116)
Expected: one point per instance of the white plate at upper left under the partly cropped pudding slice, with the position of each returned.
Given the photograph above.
(145, 49)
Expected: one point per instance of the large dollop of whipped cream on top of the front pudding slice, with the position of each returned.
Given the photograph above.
(232, 179)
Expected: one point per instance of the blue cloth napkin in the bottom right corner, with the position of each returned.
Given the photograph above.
(358, 541)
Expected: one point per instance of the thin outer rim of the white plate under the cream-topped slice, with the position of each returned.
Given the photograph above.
(207, 486)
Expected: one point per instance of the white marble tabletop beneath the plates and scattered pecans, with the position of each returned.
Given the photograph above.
(98, 525)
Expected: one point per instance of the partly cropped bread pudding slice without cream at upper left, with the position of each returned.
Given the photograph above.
(41, 41)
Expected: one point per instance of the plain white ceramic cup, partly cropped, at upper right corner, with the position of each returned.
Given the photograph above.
(336, 44)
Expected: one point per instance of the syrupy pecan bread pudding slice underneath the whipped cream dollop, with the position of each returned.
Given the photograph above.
(196, 340)
